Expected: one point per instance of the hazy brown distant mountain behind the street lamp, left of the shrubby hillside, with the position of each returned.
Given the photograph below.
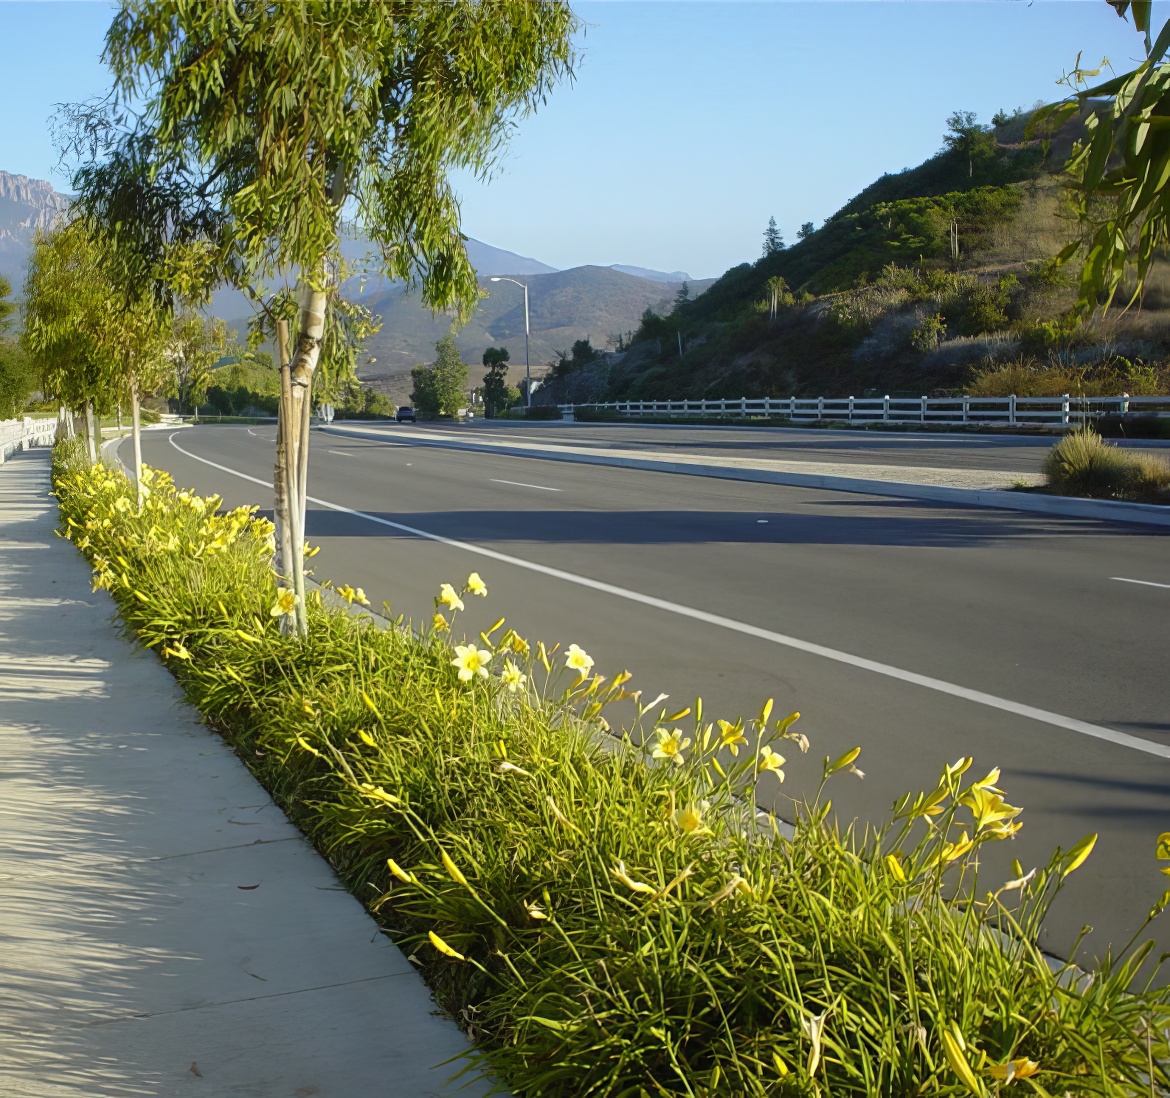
(566, 306)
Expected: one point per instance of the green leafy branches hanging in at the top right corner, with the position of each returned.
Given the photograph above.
(1120, 170)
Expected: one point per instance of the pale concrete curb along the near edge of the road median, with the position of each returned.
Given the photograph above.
(1110, 511)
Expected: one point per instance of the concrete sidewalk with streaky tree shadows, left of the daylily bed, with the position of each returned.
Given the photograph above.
(164, 930)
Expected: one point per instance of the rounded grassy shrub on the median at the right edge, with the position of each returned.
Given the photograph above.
(1084, 464)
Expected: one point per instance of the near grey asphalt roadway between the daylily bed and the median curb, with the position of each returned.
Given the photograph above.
(836, 605)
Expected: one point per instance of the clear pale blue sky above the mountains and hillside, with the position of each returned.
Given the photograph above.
(690, 123)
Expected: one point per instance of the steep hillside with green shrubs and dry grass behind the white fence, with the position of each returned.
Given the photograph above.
(937, 280)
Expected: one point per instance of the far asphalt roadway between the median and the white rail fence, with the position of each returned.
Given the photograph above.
(945, 451)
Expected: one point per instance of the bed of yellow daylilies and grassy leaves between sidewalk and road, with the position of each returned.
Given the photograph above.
(607, 916)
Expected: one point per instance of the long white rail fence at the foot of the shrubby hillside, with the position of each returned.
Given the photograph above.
(923, 410)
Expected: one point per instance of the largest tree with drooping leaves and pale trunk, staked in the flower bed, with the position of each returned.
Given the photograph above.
(251, 128)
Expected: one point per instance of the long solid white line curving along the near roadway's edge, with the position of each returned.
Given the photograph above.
(1097, 732)
